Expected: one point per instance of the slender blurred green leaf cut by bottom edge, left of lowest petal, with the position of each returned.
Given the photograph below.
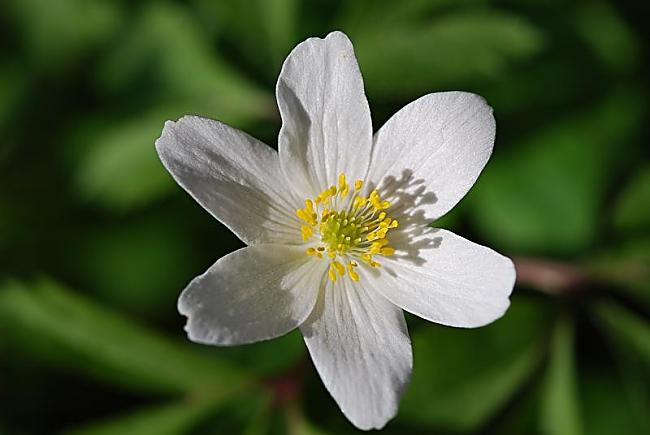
(173, 419)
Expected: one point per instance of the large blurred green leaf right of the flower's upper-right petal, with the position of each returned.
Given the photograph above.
(544, 195)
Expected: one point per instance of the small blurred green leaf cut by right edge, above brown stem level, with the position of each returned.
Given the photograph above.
(632, 211)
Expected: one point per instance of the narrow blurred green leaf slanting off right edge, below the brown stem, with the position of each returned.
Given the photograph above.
(628, 330)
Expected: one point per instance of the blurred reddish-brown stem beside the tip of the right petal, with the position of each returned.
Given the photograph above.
(549, 276)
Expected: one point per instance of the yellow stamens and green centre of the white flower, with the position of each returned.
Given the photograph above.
(347, 227)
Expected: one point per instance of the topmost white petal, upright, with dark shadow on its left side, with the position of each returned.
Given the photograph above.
(326, 126)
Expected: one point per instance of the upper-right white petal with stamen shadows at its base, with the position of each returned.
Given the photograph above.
(431, 152)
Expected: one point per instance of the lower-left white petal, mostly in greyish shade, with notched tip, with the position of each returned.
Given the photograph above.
(255, 293)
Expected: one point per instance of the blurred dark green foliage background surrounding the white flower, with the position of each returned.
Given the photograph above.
(96, 241)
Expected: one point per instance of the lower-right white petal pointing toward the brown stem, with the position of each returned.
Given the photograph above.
(444, 278)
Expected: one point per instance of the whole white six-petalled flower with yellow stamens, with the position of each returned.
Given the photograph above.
(336, 225)
